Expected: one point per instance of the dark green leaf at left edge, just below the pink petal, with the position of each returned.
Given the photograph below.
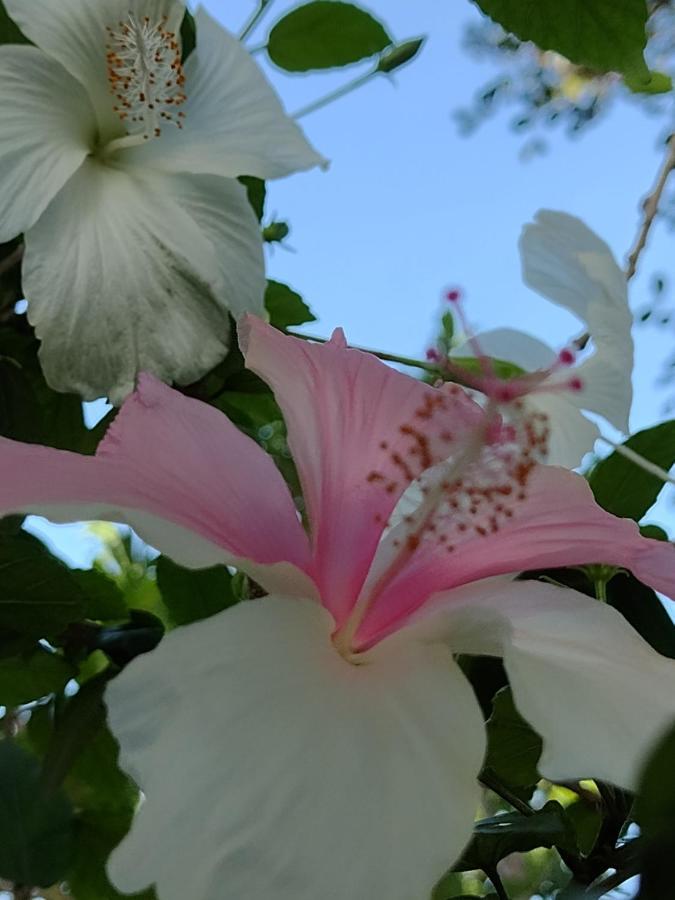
(38, 594)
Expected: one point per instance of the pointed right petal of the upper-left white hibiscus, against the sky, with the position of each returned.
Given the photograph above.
(234, 122)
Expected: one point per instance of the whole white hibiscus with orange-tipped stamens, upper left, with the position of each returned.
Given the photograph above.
(119, 168)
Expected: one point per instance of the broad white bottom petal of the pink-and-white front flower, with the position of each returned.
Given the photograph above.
(271, 767)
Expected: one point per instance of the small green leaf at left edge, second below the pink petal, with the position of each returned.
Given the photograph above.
(29, 677)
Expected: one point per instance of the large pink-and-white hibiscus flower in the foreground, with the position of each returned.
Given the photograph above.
(322, 740)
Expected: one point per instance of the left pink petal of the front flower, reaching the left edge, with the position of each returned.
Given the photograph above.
(166, 459)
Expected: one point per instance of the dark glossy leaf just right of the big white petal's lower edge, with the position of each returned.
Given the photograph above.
(498, 836)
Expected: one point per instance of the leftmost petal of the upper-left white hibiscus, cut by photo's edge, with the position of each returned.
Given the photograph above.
(48, 127)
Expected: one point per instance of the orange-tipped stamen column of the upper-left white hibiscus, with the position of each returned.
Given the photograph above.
(145, 75)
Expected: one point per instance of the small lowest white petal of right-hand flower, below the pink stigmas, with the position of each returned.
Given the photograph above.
(572, 434)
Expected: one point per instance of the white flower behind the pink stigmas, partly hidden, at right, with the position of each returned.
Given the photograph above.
(569, 264)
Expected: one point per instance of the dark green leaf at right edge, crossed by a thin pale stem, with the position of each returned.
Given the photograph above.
(624, 488)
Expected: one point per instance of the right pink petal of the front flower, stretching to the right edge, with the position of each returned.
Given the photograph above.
(558, 524)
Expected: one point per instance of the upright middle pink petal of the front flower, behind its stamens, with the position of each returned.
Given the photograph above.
(354, 427)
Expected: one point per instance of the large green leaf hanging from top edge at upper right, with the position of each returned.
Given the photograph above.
(607, 35)
